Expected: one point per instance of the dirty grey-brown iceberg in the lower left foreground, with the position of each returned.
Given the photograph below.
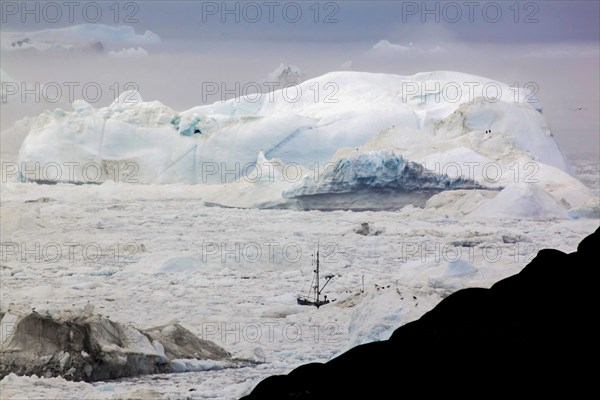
(80, 345)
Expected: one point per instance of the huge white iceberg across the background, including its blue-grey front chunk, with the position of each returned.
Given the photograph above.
(342, 140)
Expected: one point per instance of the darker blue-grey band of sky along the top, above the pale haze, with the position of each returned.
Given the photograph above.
(336, 22)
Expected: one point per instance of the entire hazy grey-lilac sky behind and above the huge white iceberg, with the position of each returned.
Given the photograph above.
(552, 46)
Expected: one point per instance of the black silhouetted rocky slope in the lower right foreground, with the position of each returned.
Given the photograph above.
(529, 334)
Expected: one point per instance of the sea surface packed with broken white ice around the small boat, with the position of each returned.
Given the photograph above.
(150, 255)
